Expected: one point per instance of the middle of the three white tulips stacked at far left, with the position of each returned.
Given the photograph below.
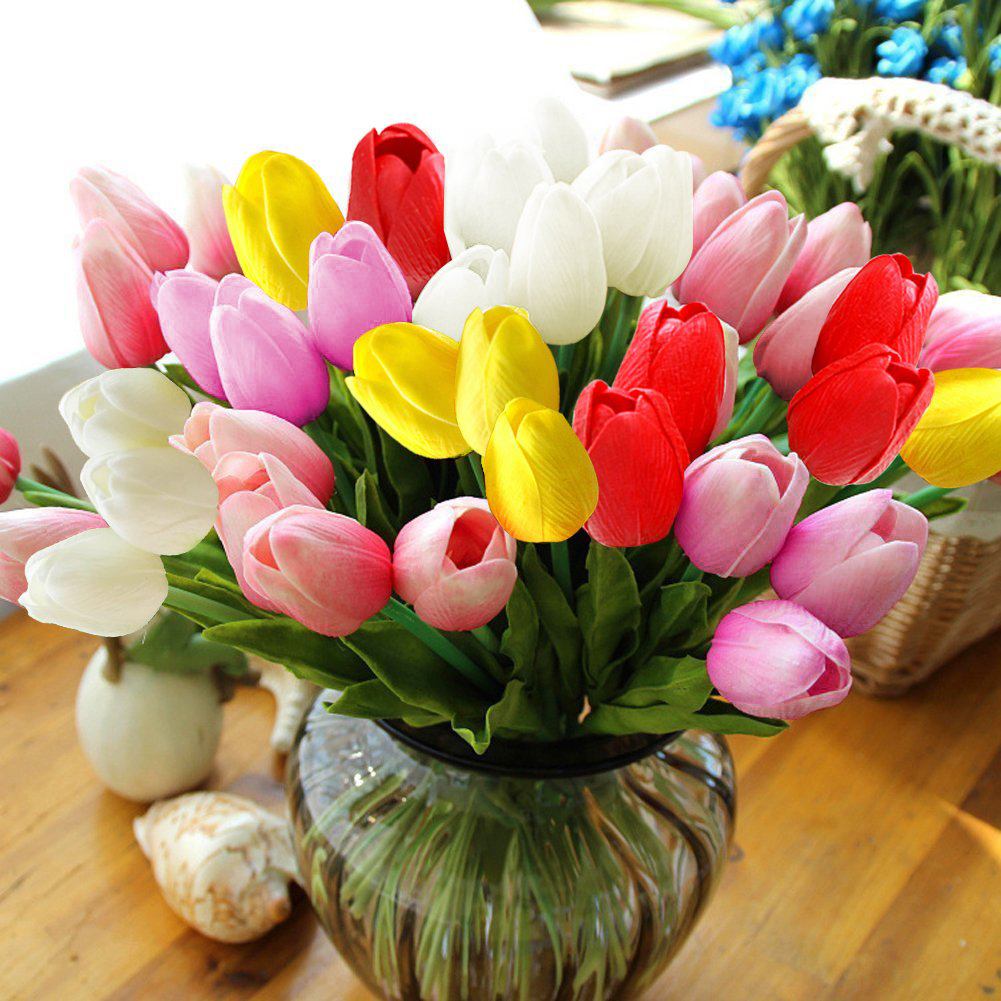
(159, 499)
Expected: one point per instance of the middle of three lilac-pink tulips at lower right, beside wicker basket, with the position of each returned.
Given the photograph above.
(851, 563)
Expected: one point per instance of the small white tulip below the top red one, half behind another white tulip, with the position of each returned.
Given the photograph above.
(477, 280)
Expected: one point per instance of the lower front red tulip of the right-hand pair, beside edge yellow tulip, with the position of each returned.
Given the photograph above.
(850, 421)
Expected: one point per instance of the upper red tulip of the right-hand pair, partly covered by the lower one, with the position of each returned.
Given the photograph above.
(885, 304)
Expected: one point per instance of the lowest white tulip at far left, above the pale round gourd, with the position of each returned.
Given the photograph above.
(95, 583)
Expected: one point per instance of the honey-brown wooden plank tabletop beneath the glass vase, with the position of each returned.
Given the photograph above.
(867, 862)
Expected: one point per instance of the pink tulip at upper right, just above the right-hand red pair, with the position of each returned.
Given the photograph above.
(837, 240)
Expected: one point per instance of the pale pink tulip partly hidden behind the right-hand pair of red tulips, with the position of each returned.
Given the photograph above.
(783, 355)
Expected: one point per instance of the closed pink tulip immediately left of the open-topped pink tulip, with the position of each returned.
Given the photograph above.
(324, 570)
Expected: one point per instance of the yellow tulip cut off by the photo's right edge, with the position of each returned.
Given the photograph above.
(958, 440)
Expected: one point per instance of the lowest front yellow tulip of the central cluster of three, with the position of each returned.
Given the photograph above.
(541, 485)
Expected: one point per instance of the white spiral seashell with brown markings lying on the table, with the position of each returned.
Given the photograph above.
(223, 862)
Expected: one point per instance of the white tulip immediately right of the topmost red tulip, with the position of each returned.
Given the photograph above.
(486, 189)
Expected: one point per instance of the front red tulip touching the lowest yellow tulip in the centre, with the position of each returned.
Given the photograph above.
(639, 457)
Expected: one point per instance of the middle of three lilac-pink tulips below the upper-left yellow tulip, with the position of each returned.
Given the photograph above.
(267, 359)
